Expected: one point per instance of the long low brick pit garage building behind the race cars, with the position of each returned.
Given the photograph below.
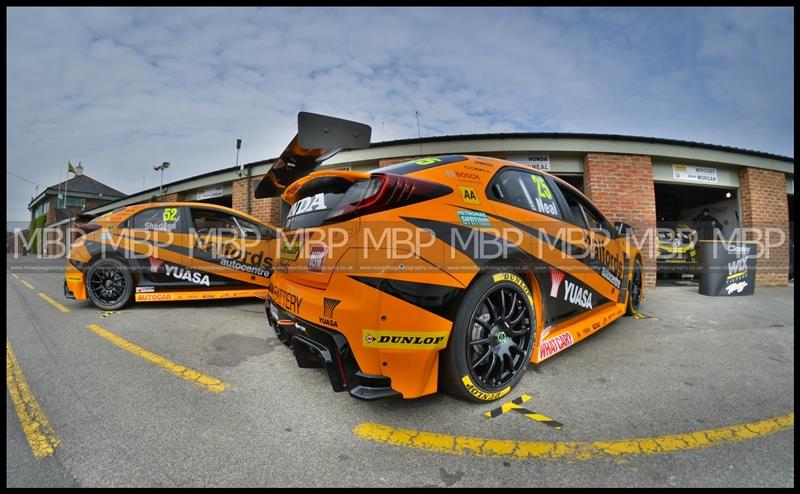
(643, 181)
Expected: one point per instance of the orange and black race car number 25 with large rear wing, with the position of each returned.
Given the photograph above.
(448, 271)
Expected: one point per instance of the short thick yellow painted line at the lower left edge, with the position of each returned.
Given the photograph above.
(35, 425)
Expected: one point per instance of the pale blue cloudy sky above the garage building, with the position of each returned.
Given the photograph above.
(123, 89)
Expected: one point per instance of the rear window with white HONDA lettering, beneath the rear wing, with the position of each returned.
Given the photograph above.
(316, 201)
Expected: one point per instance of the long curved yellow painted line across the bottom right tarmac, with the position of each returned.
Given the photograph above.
(574, 450)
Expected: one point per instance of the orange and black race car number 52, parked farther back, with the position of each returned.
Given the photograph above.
(169, 251)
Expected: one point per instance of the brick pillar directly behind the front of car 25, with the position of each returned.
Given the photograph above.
(621, 186)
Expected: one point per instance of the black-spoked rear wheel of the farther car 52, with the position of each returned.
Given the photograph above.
(109, 284)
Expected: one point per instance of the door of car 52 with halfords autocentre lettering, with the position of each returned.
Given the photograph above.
(235, 251)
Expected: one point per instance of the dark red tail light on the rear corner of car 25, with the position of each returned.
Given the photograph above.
(387, 191)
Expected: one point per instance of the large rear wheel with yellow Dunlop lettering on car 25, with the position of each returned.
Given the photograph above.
(492, 339)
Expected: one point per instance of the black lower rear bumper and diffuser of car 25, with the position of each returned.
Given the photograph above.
(317, 347)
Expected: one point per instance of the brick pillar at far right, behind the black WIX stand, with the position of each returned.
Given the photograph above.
(764, 205)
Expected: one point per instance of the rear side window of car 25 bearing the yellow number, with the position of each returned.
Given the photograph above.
(525, 190)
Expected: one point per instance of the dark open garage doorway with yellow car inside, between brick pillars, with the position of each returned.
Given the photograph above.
(678, 211)
